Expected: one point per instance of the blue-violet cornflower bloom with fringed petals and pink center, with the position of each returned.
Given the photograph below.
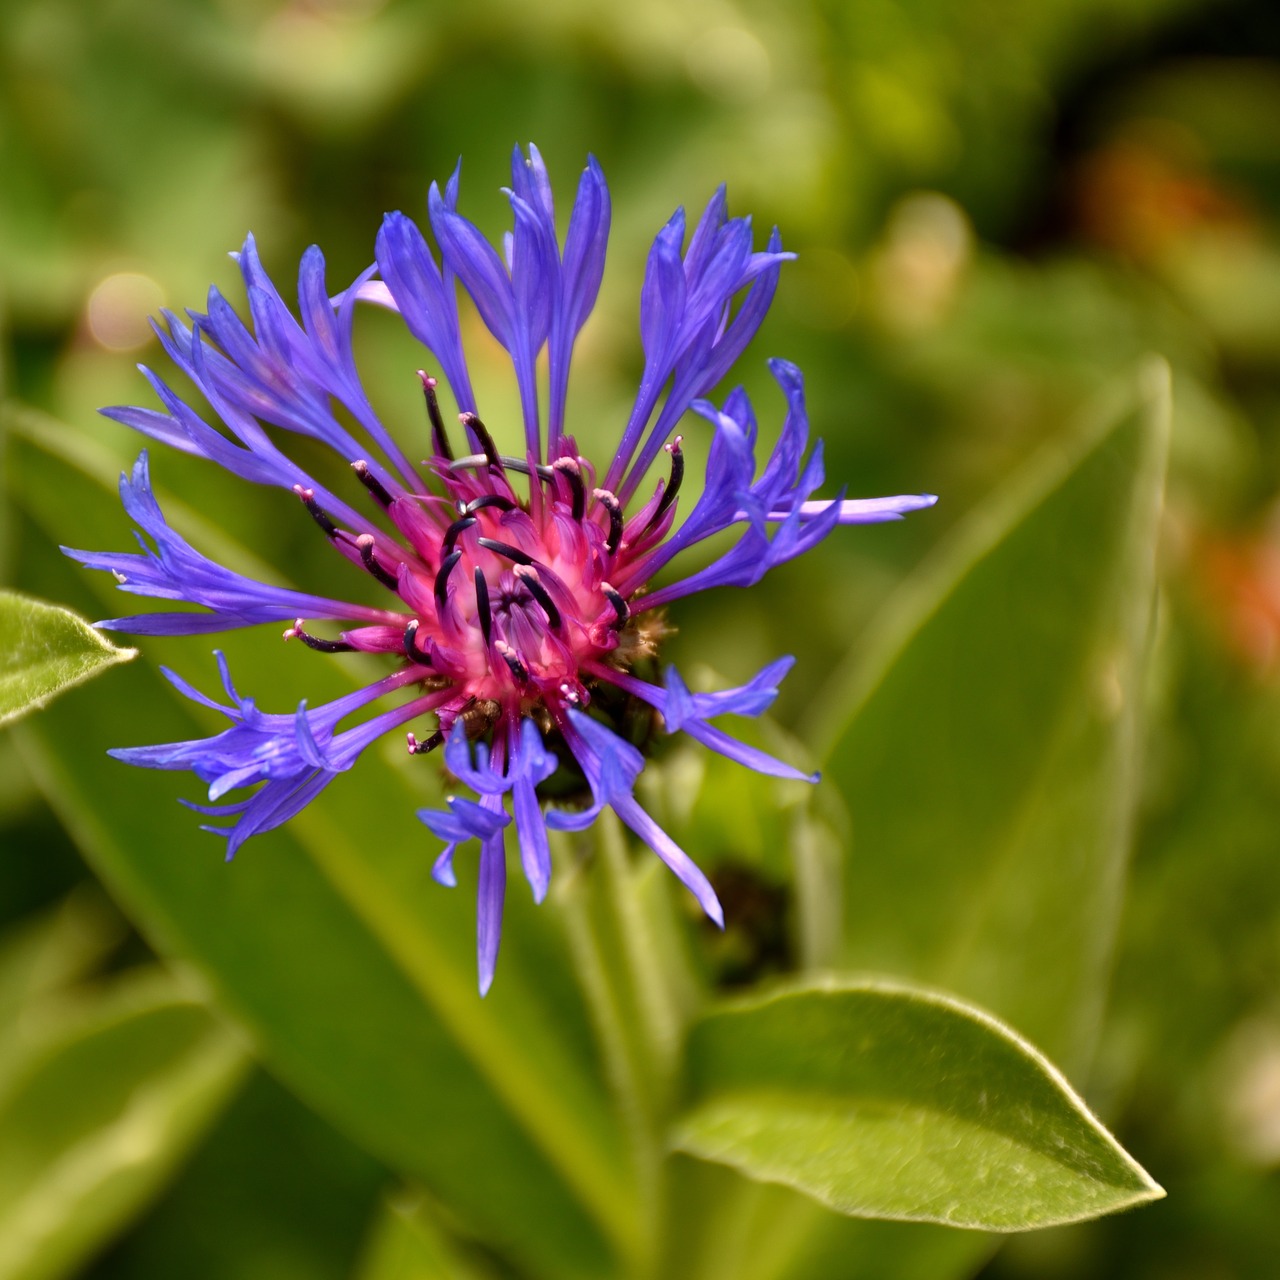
(520, 593)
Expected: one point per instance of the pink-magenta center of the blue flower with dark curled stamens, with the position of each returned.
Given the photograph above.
(508, 601)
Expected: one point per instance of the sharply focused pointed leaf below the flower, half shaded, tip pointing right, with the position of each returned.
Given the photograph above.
(889, 1101)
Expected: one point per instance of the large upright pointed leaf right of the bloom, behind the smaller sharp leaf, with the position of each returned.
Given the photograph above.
(956, 909)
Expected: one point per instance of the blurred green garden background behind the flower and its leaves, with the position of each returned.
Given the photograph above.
(999, 209)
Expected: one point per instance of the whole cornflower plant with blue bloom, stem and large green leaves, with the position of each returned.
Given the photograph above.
(525, 592)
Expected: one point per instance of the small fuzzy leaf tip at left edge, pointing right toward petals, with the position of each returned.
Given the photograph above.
(45, 650)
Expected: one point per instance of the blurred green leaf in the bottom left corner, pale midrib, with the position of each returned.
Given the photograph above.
(99, 1116)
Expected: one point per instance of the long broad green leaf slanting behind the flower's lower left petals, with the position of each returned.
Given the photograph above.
(330, 941)
